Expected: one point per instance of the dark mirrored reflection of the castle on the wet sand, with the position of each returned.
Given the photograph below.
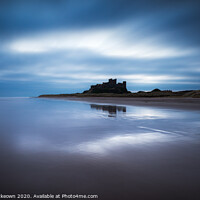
(112, 110)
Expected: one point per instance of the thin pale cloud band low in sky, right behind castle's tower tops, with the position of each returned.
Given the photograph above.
(74, 76)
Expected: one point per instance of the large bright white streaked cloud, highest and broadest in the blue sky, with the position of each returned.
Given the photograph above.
(106, 42)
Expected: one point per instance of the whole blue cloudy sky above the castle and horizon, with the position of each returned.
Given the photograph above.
(64, 46)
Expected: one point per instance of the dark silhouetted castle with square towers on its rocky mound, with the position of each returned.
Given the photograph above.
(108, 87)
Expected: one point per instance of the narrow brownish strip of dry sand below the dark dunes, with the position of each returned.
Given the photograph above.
(186, 103)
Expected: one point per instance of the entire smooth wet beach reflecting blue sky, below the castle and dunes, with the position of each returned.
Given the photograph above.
(109, 147)
